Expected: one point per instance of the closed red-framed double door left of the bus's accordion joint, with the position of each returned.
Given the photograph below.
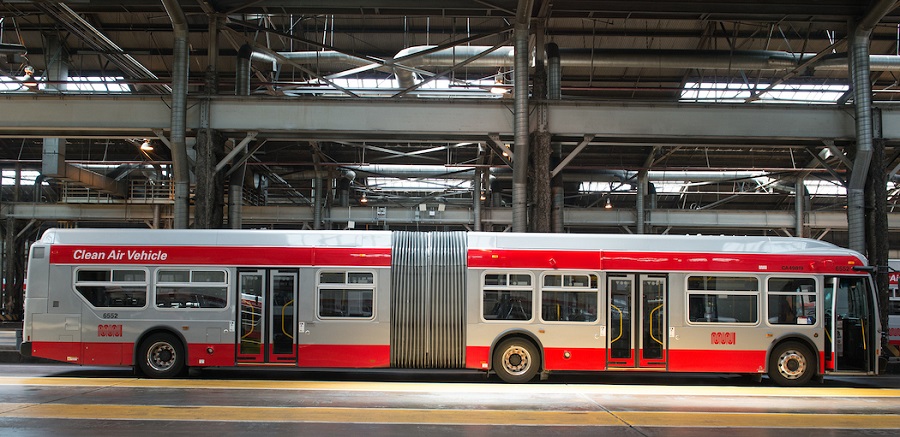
(267, 316)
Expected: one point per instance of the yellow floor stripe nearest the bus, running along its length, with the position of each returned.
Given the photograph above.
(463, 388)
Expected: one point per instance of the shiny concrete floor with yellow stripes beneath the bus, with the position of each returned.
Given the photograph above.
(64, 400)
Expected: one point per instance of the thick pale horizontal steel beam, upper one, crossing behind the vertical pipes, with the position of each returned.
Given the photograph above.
(425, 120)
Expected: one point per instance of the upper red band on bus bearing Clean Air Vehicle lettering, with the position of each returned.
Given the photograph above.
(219, 255)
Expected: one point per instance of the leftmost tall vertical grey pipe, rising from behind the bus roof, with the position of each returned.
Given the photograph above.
(180, 164)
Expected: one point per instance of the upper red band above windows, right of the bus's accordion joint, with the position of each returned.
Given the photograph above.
(660, 261)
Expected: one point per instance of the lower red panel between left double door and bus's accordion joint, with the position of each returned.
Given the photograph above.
(344, 356)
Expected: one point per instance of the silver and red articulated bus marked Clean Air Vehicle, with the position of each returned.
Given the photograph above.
(517, 305)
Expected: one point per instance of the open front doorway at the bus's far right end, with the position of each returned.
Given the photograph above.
(850, 325)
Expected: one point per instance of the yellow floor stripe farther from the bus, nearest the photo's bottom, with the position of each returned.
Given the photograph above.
(448, 417)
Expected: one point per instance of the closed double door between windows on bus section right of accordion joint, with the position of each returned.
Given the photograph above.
(637, 321)
